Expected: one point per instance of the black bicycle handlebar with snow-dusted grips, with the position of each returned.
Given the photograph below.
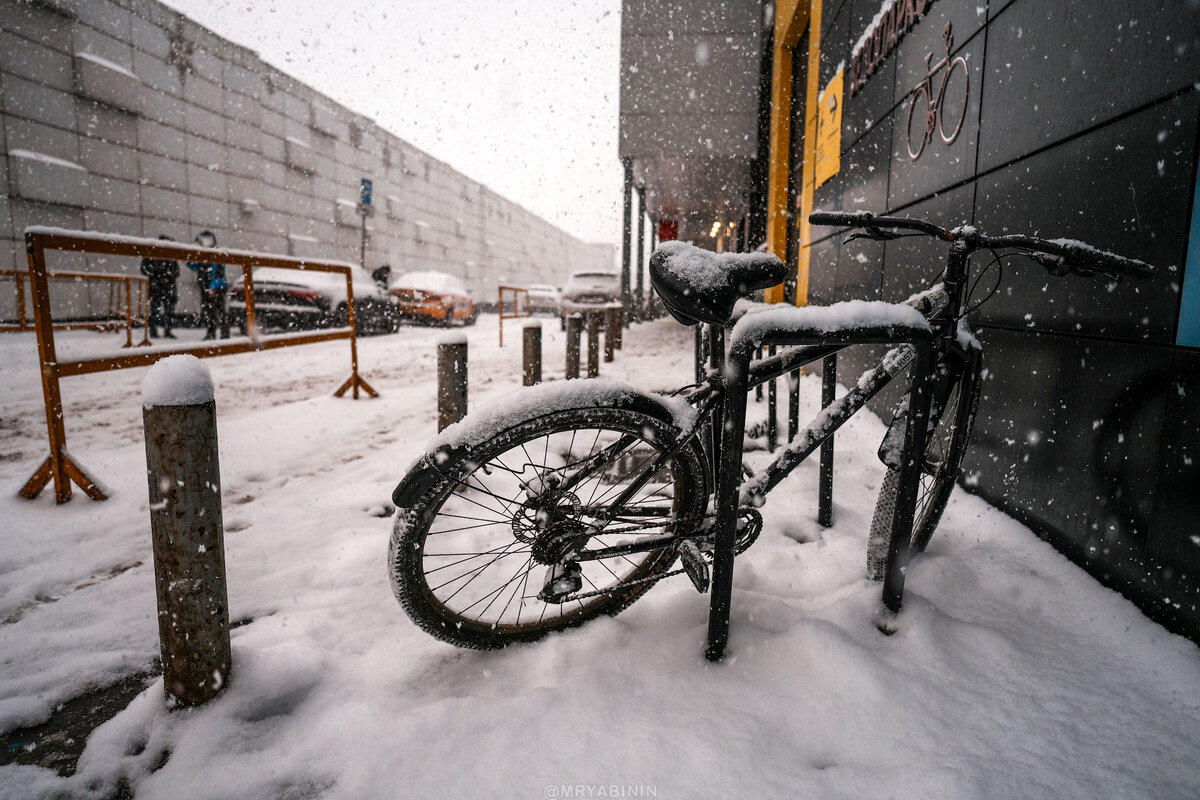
(1059, 256)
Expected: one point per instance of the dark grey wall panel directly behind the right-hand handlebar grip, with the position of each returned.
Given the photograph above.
(1119, 190)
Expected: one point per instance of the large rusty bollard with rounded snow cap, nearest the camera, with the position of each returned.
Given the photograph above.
(179, 416)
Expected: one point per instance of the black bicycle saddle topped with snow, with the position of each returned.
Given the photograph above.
(699, 286)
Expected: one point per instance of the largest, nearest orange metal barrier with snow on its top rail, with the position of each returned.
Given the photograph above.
(58, 466)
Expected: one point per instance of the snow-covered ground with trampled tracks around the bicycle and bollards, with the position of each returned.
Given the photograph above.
(1013, 675)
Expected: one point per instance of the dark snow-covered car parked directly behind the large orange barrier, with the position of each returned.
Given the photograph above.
(296, 300)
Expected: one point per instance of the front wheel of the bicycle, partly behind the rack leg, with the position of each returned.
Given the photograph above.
(945, 448)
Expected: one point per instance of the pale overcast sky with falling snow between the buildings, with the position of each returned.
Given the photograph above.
(519, 95)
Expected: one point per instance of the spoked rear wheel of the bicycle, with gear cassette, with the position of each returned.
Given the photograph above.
(475, 561)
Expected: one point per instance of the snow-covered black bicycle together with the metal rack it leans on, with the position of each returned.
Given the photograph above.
(572, 500)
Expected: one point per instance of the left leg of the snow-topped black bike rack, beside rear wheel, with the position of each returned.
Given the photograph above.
(731, 434)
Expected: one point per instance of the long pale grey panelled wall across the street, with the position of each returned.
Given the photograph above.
(127, 117)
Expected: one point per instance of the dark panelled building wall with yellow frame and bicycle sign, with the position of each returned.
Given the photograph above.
(1058, 118)
